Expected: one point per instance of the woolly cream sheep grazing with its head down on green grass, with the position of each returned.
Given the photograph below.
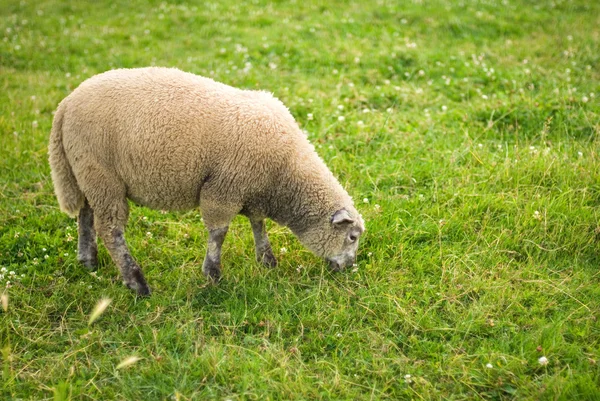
(172, 140)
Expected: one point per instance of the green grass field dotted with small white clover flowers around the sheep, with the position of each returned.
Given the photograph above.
(467, 133)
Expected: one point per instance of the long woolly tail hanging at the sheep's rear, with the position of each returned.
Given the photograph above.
(69, 195)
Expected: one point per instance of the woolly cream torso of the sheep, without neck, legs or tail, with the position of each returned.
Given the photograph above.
(166, 134)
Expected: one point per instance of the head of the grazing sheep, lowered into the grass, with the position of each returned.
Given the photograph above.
(336, 238)
